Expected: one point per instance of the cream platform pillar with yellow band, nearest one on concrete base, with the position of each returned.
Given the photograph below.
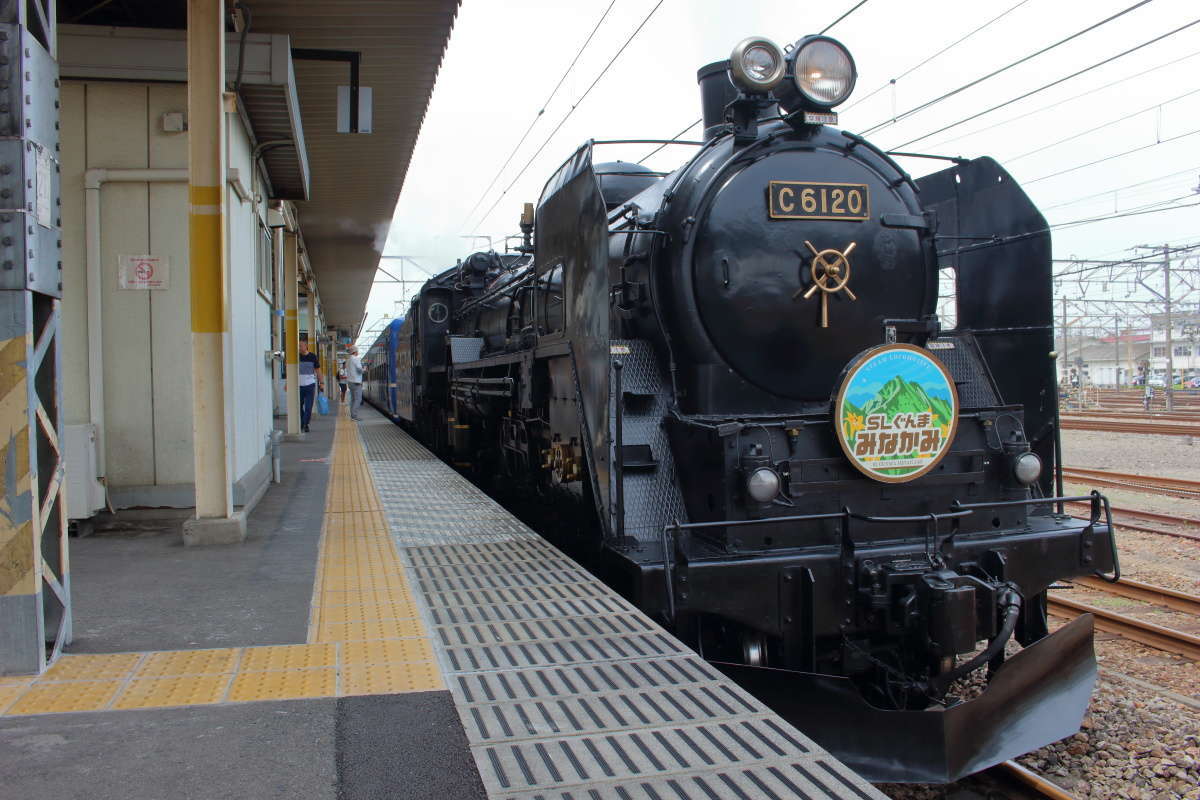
(215, 522)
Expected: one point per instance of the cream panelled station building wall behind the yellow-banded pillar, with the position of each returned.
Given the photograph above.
(147, 334)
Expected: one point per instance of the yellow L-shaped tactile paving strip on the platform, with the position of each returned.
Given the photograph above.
(365, 634)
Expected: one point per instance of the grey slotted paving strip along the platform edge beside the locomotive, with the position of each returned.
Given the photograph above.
(565, 689)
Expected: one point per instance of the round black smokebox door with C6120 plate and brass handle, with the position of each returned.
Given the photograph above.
(795, 264)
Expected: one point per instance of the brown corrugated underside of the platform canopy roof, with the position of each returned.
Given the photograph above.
(356, 179)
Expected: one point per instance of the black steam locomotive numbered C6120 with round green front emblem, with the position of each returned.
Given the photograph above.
(728, 390)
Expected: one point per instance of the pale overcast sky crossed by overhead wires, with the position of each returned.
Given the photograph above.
(506, 58)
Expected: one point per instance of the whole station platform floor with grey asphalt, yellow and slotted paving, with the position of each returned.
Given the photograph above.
(386, 631)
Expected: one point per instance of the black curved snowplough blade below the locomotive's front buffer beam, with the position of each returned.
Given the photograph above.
(1040, 696)
